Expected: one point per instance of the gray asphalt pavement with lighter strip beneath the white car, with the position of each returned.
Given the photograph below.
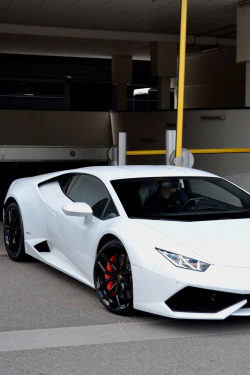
(51, 324)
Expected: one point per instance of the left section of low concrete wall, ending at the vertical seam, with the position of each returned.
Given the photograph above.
(53, 128)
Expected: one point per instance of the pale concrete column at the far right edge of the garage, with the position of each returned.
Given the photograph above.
(243, 42)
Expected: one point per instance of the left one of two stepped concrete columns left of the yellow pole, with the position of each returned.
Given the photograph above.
(121, 77)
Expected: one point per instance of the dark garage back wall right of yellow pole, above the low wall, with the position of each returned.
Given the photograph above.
(214, 80)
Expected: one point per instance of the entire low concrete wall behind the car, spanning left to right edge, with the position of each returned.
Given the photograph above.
(145, 131)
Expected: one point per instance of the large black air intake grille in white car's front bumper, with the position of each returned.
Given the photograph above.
(199, 300)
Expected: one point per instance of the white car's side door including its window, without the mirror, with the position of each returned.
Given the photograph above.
(79, 235)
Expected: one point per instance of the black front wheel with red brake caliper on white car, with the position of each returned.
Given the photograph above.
(113, 278)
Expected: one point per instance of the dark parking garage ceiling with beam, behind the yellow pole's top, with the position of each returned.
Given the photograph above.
(102, 28)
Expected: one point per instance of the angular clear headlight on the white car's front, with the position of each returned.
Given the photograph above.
(184, 262)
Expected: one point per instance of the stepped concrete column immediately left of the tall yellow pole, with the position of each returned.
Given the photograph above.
(164, 66)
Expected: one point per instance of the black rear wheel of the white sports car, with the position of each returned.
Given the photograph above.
(13, 233)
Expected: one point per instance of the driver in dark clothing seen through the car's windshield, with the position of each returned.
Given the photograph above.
(168, 197)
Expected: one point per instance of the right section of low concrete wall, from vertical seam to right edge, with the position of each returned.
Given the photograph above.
(147, 131)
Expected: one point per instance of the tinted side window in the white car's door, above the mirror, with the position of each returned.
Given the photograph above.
(90, 190)
